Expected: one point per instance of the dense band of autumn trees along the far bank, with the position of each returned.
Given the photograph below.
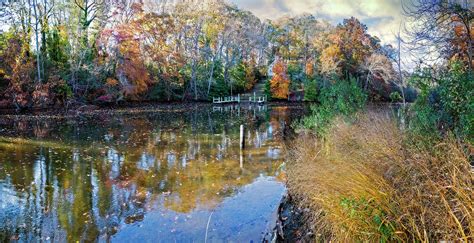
(105, 51)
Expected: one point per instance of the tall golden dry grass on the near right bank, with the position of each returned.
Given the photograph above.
(365, 182)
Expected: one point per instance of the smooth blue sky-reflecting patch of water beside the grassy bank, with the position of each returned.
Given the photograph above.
(245, 217)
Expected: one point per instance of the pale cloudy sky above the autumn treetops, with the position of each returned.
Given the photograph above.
(381, 16)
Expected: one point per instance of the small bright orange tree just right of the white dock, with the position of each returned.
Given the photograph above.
(280, 83)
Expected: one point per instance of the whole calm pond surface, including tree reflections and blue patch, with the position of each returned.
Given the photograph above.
(160, 175)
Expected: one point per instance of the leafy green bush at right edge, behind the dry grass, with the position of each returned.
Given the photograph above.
(444, 106)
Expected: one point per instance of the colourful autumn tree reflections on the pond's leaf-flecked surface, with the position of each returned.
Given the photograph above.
(97, 177)
